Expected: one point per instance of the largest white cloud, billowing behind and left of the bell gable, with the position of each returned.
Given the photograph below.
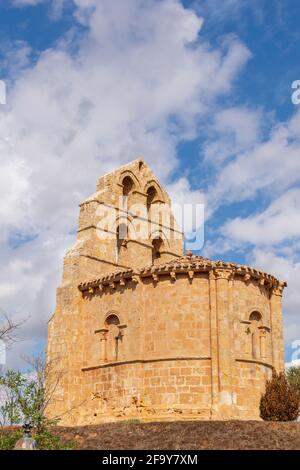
(135, 85)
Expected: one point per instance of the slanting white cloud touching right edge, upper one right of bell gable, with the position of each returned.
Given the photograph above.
(272, 166)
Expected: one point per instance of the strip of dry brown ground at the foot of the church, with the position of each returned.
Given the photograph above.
(185, 435)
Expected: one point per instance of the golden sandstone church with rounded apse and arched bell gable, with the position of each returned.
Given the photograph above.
(142, 330)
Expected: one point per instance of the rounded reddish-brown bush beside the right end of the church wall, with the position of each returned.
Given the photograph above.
(280, 401)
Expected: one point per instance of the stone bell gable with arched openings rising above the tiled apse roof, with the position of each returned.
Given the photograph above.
(127, 223)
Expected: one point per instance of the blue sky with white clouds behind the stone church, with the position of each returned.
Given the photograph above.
(201, 89)
